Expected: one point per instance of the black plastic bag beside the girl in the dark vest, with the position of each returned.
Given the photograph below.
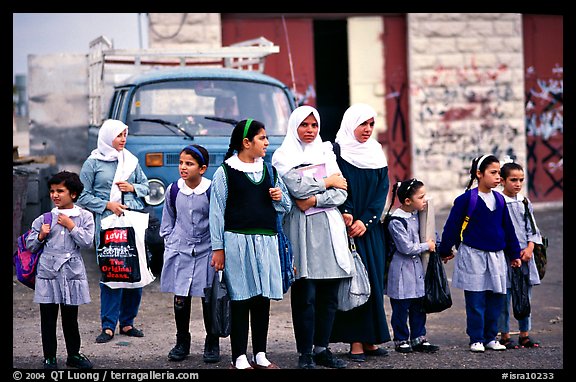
(219, 305)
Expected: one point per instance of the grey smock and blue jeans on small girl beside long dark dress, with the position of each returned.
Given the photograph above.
(405, 285)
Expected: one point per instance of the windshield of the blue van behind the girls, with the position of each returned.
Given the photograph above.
(207, 107)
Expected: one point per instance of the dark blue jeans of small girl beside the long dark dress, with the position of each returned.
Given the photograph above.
(407, 311)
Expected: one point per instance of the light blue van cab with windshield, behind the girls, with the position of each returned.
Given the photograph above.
(168, 109)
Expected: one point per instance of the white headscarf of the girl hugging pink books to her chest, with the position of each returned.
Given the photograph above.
(293, 152)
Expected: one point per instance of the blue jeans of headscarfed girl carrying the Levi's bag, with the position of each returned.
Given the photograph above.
(118, 306)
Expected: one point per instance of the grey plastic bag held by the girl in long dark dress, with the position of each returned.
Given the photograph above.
(354, 291)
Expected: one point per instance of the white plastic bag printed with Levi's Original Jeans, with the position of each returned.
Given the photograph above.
(121, 254)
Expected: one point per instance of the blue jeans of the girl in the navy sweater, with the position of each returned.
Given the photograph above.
(482, 312)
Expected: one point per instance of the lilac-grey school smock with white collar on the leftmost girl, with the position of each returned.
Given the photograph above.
(61, 275)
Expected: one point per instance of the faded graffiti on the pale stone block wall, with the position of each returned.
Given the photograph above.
(464, 112)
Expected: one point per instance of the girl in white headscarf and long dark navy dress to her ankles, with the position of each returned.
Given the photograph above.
(364, 166)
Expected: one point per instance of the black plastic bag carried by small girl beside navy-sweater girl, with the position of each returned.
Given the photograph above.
(437, 297)
